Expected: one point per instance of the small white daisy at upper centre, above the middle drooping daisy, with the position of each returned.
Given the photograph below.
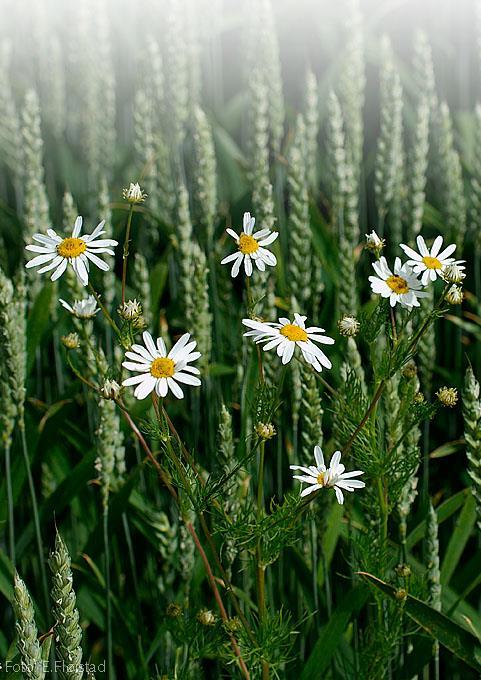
(251, 247)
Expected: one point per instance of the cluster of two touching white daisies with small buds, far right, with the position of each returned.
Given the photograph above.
(405, 283)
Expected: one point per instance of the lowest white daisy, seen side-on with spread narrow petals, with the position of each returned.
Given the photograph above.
(318, 476)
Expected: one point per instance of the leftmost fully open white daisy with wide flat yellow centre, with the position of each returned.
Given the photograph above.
(56, 253)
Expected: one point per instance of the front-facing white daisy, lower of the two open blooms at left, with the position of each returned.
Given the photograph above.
(159, 370)
